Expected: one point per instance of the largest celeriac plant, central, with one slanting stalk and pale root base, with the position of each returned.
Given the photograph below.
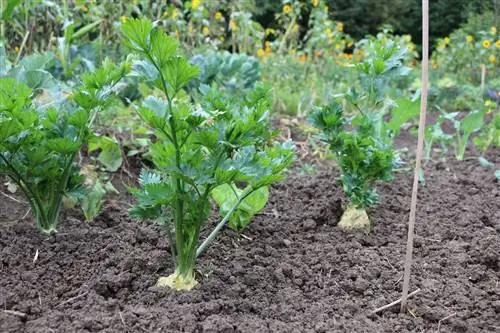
(197, 149)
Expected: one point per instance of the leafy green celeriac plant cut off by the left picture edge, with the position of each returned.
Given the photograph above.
(38, 146)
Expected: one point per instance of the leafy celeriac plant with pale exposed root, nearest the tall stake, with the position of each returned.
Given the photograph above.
(363, 142)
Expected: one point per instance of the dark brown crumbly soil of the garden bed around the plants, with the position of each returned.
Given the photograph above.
(297, 272)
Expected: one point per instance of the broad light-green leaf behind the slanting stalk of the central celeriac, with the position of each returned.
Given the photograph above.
(227, 195)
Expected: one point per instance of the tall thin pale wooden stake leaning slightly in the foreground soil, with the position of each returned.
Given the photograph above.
(420, 148)
